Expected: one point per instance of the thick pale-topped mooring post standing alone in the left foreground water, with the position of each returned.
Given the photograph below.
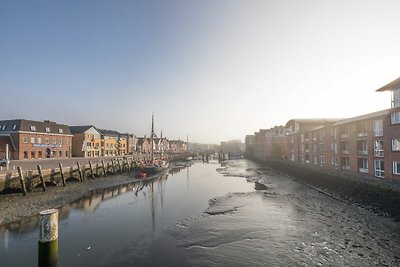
(48, 238)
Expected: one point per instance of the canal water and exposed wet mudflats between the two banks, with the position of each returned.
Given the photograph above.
(235, 214)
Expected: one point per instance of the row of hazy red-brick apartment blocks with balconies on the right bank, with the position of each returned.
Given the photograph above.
(366, 145)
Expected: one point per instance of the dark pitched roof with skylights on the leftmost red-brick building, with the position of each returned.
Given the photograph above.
(34, 126)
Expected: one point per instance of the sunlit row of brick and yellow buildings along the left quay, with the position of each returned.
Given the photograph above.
(28, 139)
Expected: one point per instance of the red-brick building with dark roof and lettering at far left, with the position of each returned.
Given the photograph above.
(29, 139)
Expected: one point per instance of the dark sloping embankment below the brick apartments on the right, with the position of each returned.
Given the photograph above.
(381, 196)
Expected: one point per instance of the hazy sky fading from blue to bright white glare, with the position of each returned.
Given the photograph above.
(216, 69)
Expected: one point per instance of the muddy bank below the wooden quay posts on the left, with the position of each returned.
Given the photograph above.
(15, 206)
